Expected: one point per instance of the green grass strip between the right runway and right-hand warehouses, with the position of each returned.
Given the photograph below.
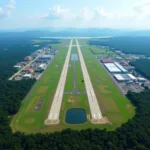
(114, 106)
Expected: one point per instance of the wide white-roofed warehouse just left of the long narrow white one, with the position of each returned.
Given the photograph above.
(112, 68)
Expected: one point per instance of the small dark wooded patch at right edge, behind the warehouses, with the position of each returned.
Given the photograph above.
(142, 66)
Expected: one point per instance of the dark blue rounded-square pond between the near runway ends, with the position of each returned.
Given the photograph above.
(76, 116)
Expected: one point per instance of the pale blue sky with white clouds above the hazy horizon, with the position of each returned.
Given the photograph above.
(117, 14)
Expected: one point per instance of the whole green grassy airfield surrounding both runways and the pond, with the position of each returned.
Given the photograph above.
(111, 102)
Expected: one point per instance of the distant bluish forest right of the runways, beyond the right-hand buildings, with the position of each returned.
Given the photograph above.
(130, 45)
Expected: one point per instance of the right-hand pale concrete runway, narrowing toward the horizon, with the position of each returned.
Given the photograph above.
(96, 115)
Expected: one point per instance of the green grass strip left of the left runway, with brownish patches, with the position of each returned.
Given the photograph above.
(27, 119)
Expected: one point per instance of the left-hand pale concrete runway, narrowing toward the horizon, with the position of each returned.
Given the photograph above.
(53, 117)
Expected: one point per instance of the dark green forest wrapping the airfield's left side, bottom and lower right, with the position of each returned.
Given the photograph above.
(135, 134)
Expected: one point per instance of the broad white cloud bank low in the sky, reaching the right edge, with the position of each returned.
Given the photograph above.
(97, 17)
